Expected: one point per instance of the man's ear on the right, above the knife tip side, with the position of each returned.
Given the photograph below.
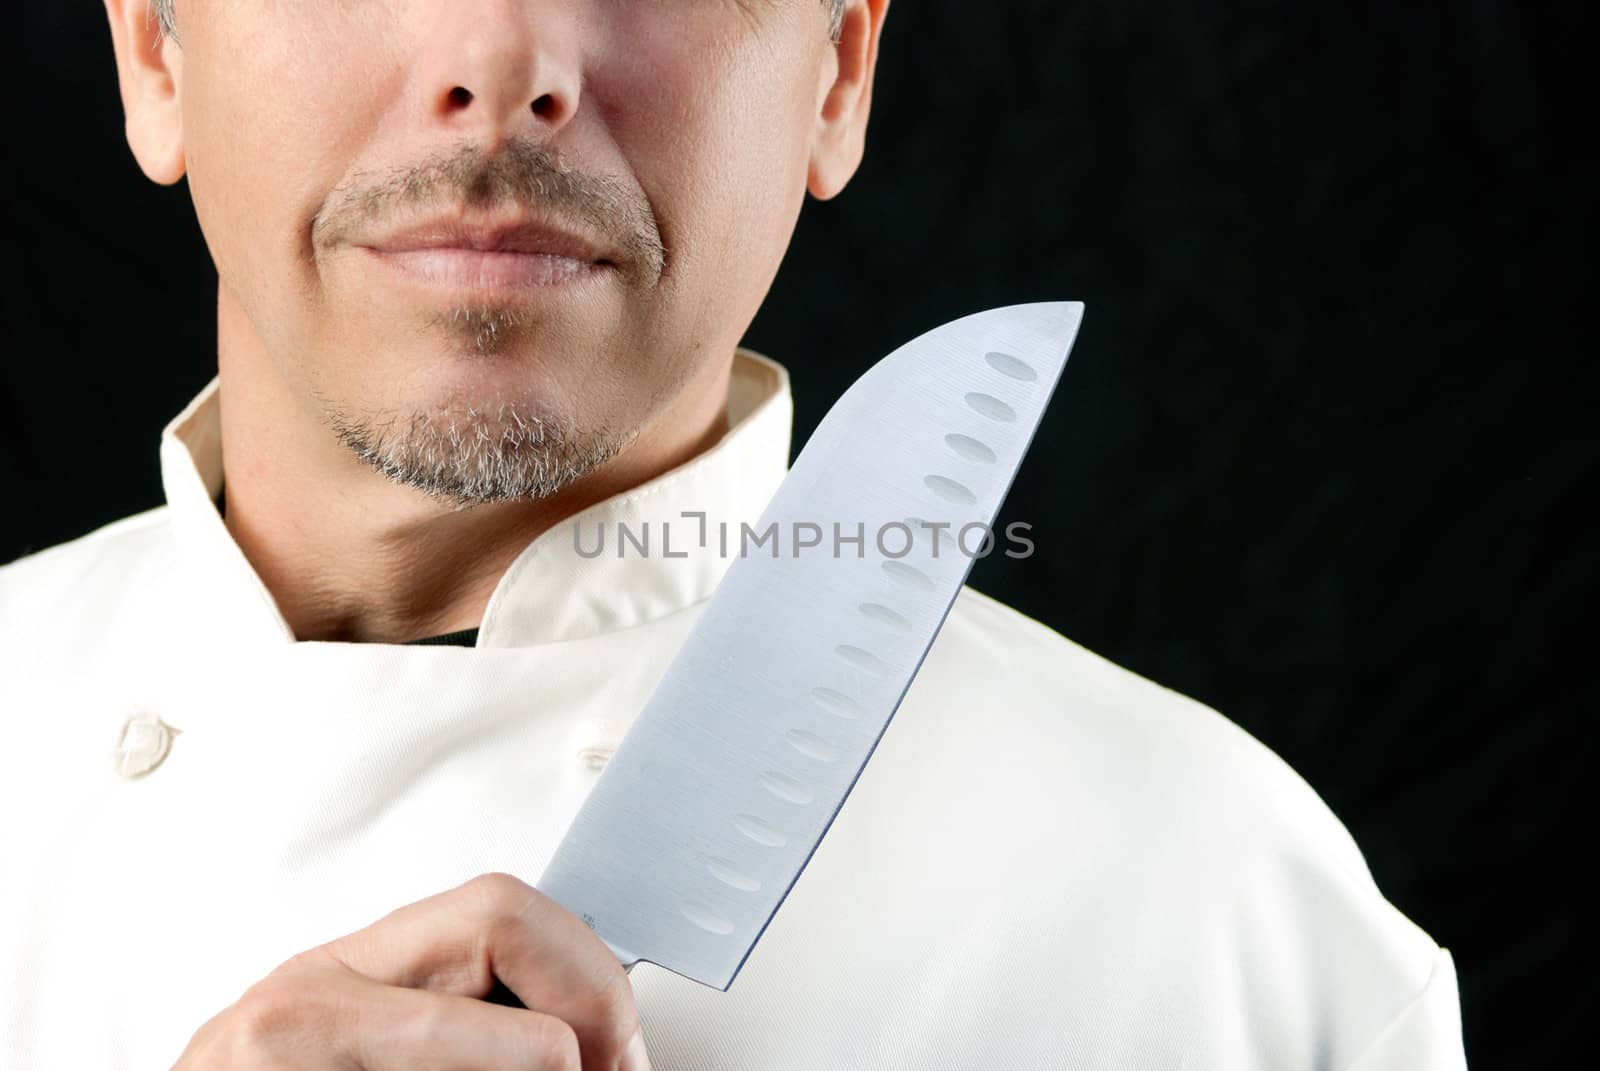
(842, 119)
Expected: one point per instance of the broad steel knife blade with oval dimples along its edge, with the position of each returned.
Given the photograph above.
(718, 796)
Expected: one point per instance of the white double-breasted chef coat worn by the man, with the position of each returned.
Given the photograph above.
(1047, 864)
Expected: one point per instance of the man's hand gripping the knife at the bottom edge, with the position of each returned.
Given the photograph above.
(409, 993)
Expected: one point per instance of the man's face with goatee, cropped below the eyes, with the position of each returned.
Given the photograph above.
(487, 244)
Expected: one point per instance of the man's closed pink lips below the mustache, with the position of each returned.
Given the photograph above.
(489, 257)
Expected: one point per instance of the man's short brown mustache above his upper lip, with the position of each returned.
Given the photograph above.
(522, 174)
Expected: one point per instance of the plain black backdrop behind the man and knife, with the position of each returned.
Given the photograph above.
(1319, 455)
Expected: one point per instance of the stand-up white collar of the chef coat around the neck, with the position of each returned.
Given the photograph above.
(559, 588)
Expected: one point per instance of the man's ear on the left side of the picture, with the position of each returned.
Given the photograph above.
(150, 74)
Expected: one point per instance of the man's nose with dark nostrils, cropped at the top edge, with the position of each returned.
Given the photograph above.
(500, 68)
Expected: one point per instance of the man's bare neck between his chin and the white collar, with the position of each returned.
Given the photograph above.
(353, 556)
